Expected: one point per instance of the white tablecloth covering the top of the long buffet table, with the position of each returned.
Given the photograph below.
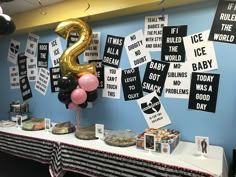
(183, 156)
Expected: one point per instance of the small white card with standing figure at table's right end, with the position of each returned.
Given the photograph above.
(202, 144)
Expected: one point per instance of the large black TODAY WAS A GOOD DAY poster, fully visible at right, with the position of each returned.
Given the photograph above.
(203, 91)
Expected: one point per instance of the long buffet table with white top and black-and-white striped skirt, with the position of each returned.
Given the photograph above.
(95, 158)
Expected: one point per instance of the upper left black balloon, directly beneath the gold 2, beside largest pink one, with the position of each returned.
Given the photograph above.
(67, 83)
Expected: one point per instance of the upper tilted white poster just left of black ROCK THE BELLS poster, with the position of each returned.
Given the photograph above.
(31, 46)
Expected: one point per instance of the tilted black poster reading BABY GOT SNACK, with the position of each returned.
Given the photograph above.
(155, 76)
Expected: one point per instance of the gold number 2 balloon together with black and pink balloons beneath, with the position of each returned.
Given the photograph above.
(78, 83)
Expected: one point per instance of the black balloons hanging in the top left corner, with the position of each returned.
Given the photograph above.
(7, 25)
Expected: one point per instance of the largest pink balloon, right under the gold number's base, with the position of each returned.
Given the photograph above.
(88, 82)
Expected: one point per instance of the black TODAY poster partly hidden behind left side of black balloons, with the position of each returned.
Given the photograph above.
(55, 74)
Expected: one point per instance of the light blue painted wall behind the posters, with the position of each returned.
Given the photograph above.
(118, 114)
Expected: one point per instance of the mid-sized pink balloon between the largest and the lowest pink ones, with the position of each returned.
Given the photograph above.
(78, 96)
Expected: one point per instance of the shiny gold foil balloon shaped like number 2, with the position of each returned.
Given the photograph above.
(68, 59)
